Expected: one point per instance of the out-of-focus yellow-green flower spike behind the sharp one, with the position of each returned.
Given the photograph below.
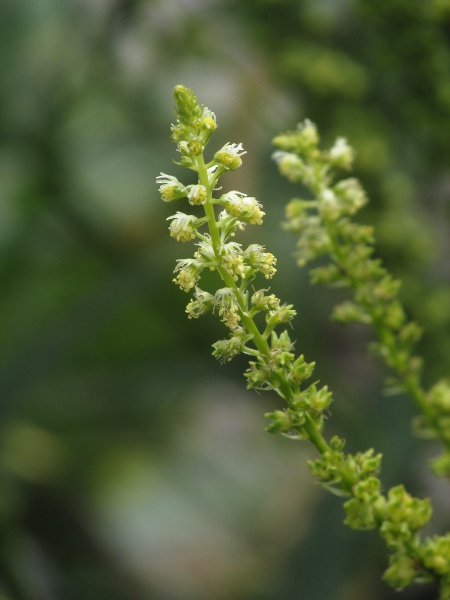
(324, 228)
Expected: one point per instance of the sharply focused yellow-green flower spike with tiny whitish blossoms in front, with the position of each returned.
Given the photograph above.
(397, 515)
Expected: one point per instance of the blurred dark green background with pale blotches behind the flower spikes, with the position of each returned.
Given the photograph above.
(133, 466)
